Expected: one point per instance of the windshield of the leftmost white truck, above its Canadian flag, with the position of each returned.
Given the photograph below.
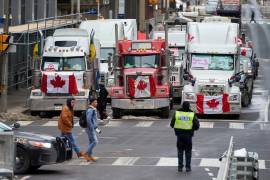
(63, 64)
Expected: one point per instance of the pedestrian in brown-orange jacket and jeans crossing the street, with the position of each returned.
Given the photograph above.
(66, 124)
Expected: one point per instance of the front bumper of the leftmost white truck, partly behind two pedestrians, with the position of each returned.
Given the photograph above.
(55, 104)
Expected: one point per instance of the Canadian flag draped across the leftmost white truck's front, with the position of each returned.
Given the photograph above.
(56, 83)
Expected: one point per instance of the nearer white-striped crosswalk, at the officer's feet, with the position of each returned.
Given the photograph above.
(154, 161)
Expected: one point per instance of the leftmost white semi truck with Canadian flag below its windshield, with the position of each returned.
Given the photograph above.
(64, 71)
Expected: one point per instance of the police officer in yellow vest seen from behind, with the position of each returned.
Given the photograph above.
(184, 122)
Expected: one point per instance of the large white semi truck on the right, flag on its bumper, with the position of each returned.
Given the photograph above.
(212, 68)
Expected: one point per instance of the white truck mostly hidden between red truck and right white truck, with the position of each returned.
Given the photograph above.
(176, 42)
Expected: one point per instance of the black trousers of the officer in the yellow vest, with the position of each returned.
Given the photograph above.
(184, 145)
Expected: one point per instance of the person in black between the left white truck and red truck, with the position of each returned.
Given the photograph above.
(102, 101)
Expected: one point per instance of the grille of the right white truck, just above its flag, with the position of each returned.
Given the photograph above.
(211, 90)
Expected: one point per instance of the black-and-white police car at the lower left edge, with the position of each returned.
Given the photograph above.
(34, 150)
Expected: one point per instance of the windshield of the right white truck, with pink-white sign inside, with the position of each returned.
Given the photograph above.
(212, 62)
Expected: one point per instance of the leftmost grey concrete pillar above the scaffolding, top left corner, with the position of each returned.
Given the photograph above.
(16, 12)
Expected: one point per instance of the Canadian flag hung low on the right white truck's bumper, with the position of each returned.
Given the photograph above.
(212, 104)
